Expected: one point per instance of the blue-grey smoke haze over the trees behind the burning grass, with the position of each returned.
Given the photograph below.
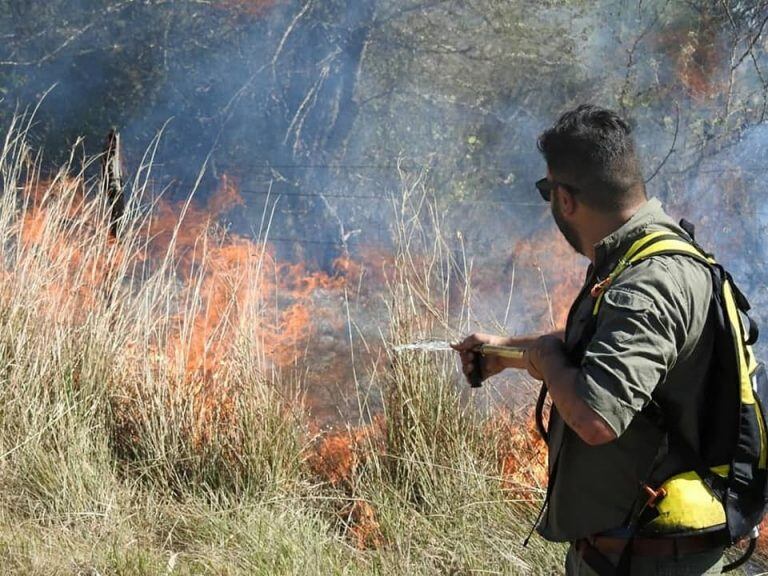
(320, 109)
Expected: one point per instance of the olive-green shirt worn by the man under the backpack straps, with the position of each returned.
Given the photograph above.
(652, 340)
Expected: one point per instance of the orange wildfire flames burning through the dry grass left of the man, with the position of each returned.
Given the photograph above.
(230, 298)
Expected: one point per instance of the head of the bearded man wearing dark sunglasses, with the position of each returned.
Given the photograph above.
(592, 164)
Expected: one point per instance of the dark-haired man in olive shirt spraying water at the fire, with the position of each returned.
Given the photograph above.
(650, 343)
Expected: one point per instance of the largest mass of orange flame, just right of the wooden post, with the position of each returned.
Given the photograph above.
(234, 277)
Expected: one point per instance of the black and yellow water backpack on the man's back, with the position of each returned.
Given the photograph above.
(725, 489)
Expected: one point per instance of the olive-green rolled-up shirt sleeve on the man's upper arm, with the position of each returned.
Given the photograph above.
(646, 320)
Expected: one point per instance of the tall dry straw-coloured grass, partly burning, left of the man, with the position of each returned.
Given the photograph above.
(123, 452)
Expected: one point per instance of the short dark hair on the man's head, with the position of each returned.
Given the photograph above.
(592, 149)
